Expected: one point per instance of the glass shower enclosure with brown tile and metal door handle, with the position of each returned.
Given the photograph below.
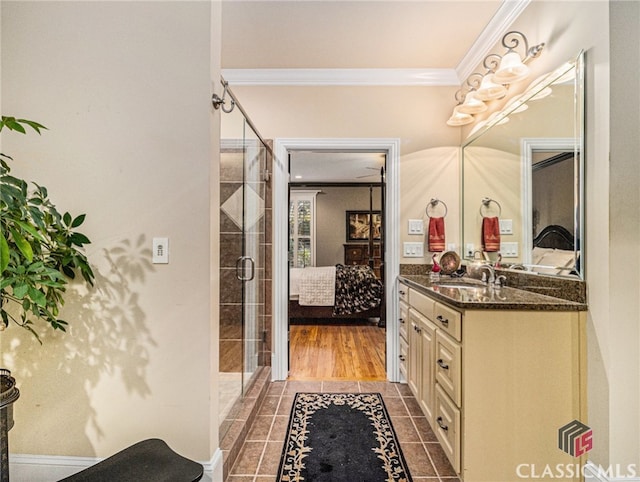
(243, 241)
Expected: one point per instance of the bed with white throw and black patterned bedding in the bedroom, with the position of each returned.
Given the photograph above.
(335, 292)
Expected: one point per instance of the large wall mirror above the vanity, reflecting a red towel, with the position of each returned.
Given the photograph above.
(524, 167)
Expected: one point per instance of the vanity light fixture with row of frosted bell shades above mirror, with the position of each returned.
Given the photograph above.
(492, 85)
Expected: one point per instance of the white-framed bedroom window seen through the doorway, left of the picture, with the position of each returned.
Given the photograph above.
(302, 228)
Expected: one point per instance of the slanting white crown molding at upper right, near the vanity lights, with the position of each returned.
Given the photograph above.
(499, 24)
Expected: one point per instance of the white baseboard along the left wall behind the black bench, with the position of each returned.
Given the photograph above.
(45, 468)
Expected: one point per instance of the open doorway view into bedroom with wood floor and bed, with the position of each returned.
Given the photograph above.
(337, 331)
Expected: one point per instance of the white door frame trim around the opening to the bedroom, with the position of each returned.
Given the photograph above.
(390, 147)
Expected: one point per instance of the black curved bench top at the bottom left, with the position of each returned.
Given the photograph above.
(148, 461)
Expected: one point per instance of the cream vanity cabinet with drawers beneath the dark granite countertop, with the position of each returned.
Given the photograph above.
(497, 385)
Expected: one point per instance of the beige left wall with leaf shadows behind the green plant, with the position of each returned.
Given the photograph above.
(123, 88)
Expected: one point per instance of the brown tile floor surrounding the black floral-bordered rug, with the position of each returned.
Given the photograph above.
(259, 457)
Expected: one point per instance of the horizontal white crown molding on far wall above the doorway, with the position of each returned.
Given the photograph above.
(354, 77)
